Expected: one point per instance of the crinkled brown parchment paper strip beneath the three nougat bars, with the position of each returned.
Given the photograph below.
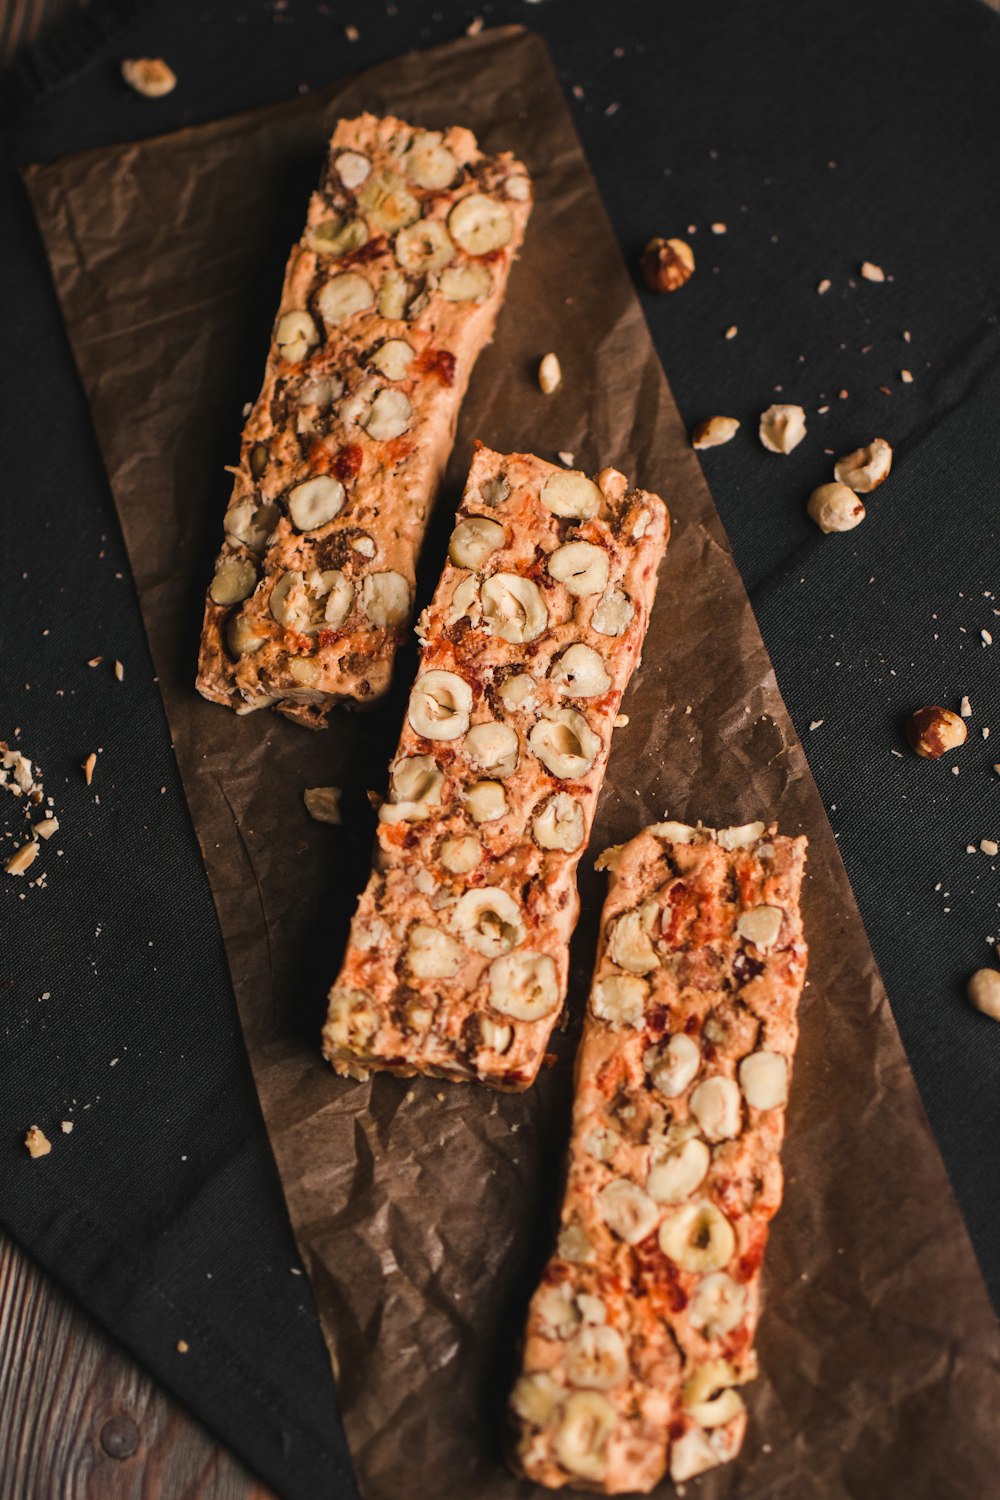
(424, 1211)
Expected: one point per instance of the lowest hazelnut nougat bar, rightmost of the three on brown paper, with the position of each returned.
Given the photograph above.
(645, 1318)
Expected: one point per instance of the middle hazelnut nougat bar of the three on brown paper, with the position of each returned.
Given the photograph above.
(458, 956)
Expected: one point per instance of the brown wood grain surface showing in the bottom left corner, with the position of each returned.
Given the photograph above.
(79, 1418)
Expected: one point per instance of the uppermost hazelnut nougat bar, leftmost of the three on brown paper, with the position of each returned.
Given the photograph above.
(389, 298)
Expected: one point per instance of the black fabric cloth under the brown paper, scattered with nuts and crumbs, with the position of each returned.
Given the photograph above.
(163, 1210)
